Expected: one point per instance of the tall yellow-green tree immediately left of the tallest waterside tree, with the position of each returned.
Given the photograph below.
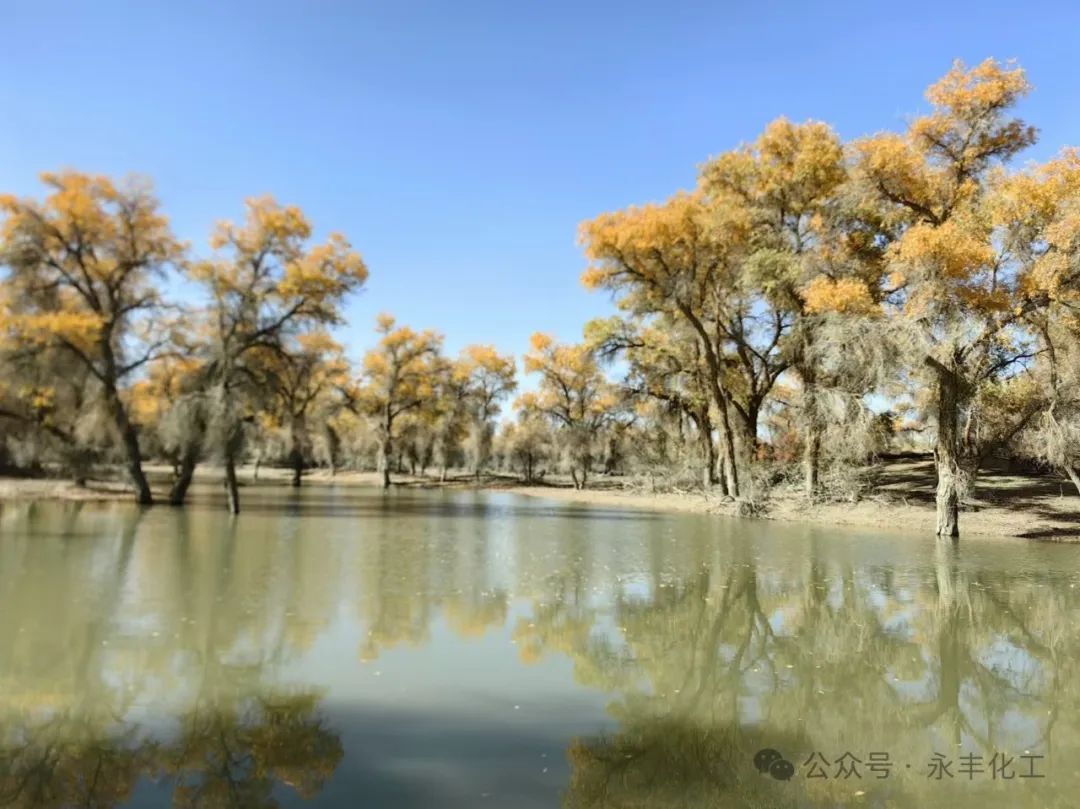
(790, 186)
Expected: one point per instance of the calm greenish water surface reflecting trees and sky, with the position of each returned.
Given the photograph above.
(349, 649)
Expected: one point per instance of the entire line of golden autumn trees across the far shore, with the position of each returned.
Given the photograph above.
(760, 316)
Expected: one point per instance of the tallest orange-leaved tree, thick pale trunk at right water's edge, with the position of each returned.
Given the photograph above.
(956, 285)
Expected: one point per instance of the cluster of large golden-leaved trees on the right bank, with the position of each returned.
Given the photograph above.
(805, 275)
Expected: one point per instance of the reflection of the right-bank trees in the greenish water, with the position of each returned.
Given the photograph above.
(721, 657)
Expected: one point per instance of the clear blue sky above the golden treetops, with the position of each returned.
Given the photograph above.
(460, 144)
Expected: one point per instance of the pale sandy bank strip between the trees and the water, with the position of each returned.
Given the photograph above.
(902, 496)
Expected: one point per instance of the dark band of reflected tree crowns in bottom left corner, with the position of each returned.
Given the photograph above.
(227, 757)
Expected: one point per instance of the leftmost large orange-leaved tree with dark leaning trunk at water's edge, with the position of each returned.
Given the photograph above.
(83, 266)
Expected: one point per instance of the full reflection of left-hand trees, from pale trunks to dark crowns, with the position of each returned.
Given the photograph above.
(72, 684)
